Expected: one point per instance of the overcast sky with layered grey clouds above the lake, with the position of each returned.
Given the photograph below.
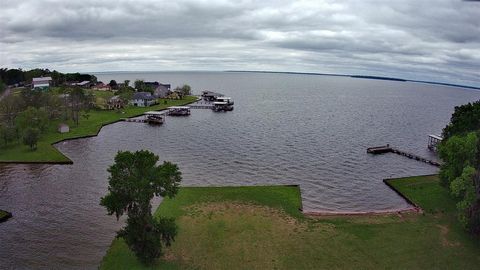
(437, 40)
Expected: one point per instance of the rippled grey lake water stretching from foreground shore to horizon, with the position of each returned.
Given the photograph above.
(286, 129)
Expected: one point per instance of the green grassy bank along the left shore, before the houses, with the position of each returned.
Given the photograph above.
(18, 152)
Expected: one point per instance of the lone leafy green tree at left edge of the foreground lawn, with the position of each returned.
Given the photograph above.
(135, 178)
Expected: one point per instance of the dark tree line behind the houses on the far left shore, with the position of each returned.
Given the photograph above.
(19, 76)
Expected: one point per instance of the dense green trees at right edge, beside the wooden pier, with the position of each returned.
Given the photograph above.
(460, 151)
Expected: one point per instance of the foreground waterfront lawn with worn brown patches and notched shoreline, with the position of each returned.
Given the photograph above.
(260, 228)
